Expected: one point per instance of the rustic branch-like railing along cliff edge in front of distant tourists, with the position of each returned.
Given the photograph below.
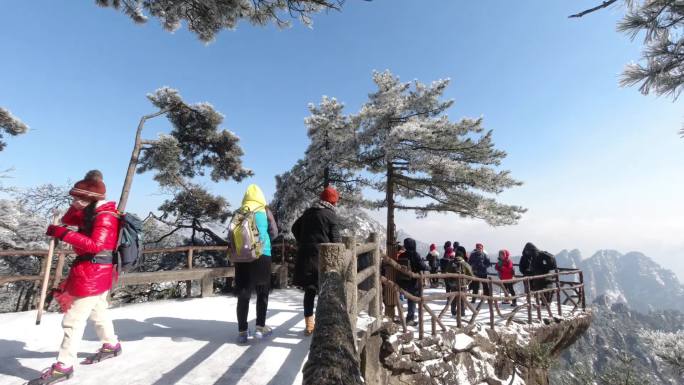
(533, 301)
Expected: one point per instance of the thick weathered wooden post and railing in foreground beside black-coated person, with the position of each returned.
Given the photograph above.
(336, 344)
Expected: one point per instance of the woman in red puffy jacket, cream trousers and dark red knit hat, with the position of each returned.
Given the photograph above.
(83, 294)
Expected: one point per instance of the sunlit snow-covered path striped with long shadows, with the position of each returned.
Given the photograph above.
(189, 342)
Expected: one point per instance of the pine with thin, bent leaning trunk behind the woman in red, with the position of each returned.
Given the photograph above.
(196, 145)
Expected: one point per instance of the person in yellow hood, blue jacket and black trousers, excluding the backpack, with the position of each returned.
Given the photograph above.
(256, 275)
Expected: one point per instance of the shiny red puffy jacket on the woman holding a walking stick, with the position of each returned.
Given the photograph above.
(85, 277)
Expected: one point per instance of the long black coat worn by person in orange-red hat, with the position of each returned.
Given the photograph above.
(318, 224)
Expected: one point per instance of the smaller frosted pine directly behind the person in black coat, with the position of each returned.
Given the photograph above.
(330, 159)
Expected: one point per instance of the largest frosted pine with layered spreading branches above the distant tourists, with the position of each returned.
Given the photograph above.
(425, 162)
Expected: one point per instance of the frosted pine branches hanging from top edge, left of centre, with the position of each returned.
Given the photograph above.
(207, 17)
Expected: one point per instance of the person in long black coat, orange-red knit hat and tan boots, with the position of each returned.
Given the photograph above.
(318, 224)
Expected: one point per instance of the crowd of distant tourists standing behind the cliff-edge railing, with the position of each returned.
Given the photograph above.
(456, 260)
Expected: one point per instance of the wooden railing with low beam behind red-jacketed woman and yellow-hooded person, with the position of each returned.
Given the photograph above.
(188, 274)
